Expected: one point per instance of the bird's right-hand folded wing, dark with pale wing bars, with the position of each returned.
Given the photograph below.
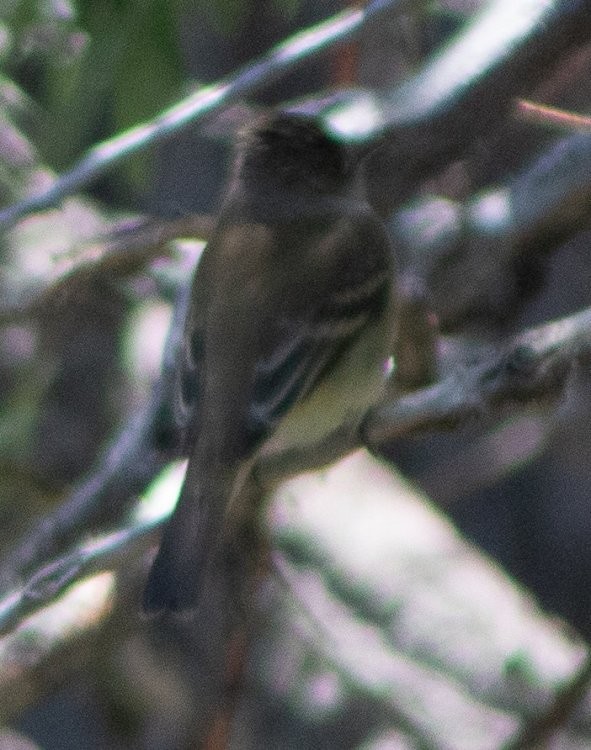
(346, 284)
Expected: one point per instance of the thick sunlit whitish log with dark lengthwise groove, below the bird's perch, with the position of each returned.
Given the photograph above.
(403, 611)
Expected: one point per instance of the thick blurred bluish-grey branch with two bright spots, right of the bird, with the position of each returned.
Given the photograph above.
(462, 251)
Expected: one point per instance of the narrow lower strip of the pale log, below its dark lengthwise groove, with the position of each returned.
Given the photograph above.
(363, 657)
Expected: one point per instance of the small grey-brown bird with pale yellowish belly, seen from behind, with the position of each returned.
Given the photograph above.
(287, 337)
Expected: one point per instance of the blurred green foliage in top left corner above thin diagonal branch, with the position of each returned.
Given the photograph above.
(94, 68)
